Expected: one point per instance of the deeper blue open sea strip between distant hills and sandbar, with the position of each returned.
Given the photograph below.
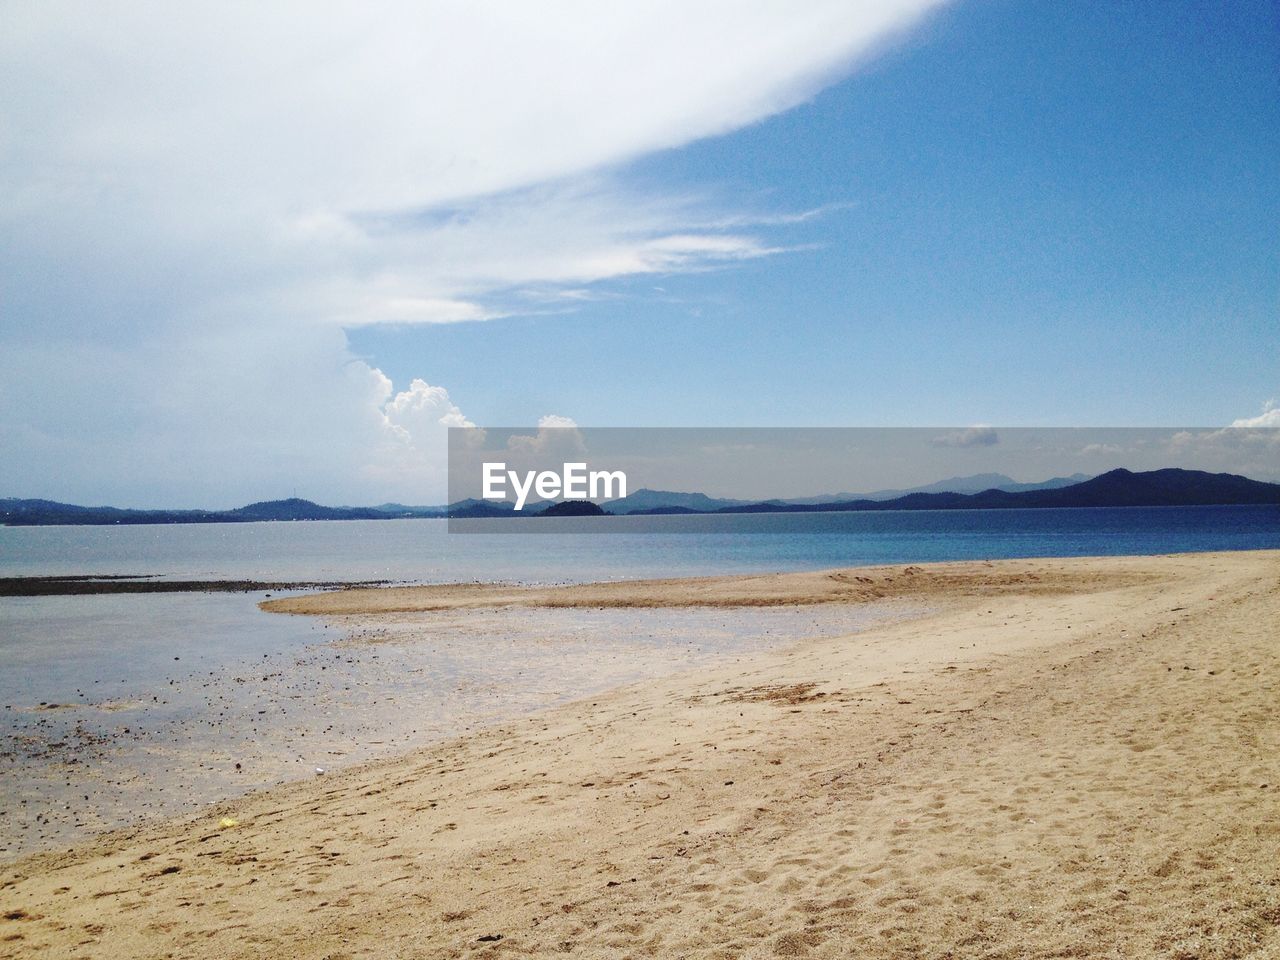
(638, 547)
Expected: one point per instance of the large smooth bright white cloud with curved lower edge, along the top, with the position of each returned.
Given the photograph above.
(353, 107)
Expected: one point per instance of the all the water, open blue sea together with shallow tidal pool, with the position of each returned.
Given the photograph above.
(121, 707)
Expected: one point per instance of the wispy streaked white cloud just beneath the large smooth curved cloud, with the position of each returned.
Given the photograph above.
(493, 257)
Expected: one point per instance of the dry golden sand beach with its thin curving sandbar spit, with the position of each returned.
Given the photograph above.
(1071, 758)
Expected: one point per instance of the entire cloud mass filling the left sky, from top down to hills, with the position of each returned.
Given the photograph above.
(195, 203)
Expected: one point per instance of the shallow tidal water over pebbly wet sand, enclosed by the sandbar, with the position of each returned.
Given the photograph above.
(176, 723)
